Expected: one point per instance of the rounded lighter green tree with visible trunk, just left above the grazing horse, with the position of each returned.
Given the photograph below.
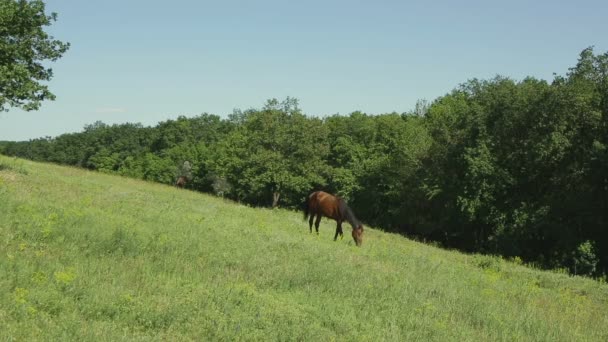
(275, 153)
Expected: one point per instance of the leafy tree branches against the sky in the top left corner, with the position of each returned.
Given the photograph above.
(24, 46)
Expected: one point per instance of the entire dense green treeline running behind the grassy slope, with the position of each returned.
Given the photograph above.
(496, 166)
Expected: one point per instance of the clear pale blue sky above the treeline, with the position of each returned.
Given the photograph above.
(149, 61)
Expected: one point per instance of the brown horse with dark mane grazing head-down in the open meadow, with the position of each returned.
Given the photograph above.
(321, 204)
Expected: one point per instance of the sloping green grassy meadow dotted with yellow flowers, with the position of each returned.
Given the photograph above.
(92, 256)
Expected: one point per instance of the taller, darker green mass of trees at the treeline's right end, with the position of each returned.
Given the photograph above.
(518, 168)
